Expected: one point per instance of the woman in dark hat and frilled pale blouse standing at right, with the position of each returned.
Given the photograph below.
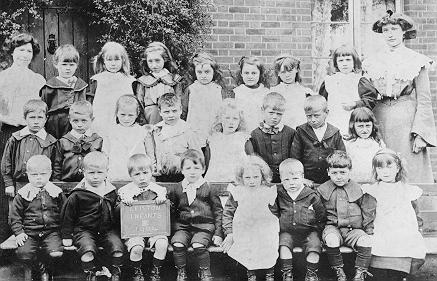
(404, 111)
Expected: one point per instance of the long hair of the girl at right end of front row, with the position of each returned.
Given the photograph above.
(386, 157)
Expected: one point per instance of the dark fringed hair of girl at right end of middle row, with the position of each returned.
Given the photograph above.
(363, 114)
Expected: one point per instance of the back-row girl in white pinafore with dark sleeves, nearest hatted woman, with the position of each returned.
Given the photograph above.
(346, 89)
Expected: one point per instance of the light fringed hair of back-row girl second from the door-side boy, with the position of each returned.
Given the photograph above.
(112, 49)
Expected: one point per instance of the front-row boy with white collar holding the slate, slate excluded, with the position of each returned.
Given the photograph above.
(141, 188)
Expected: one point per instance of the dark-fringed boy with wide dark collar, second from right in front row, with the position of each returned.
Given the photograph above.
(343, 200)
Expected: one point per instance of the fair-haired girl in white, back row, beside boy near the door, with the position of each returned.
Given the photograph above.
(112, 80)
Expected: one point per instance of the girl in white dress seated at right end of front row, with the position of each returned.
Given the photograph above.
(398, 246)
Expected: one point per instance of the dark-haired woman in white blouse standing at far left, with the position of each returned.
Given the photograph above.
(18, 84)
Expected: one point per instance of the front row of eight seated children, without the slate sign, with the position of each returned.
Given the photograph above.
(377, 219)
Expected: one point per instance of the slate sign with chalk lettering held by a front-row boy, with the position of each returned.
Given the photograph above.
(145, 219)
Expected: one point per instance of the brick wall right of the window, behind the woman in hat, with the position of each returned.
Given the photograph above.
(424, 12)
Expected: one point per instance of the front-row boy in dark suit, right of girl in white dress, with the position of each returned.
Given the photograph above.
(301, 218)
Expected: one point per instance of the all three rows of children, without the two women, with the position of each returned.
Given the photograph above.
(138, 126)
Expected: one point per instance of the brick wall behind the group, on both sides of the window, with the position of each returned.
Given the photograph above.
(266, 28)
